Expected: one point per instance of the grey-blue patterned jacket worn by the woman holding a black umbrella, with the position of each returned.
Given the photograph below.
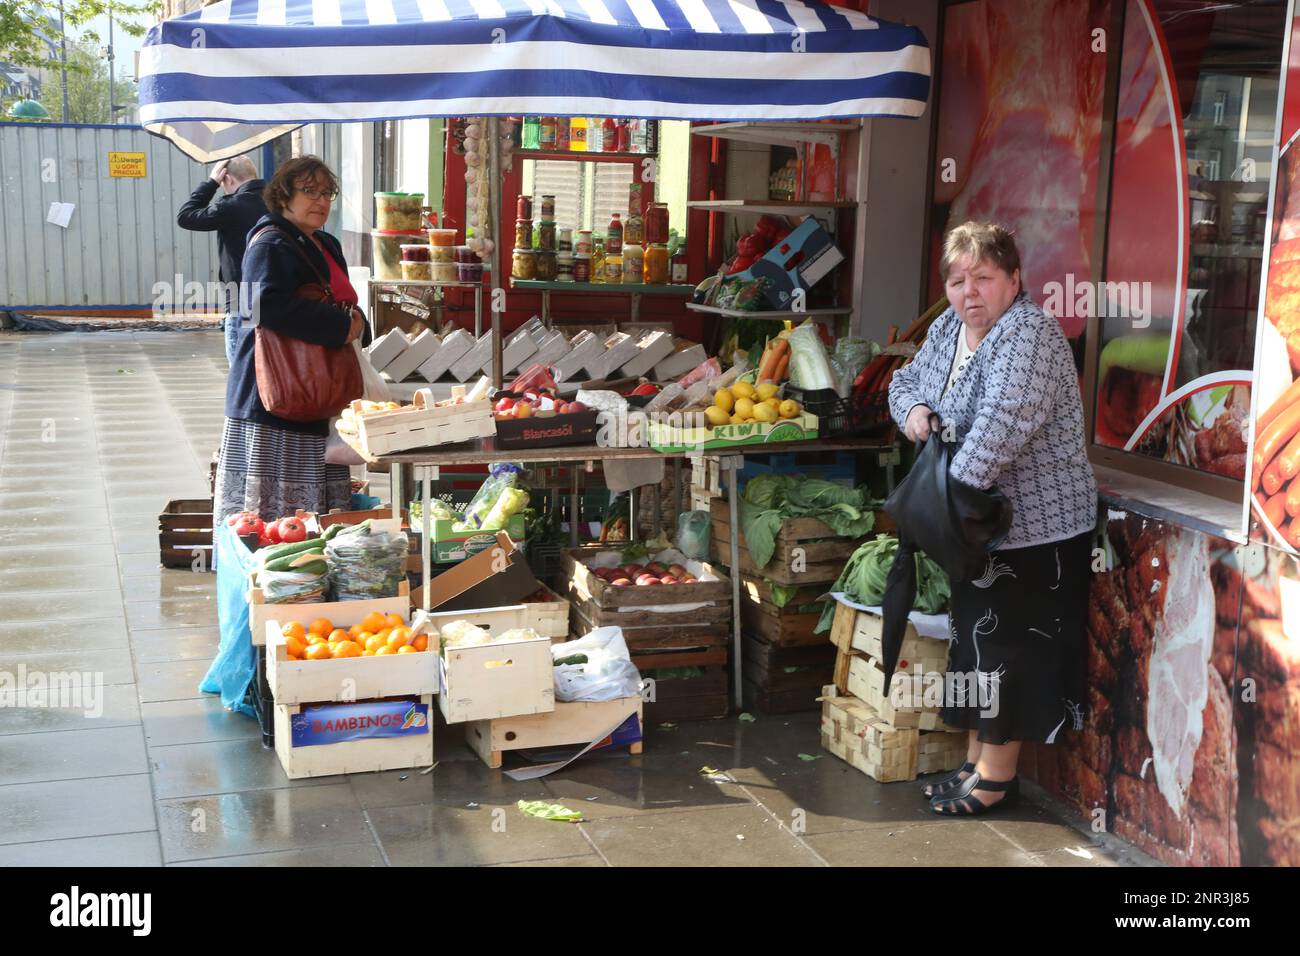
(1019, 419)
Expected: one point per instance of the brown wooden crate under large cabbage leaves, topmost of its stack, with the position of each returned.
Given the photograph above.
(809, 542)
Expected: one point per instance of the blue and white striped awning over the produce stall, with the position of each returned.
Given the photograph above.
(239, 72)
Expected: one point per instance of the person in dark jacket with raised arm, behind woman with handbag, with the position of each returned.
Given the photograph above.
(231, 218)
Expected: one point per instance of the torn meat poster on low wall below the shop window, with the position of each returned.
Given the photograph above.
(1191, 746)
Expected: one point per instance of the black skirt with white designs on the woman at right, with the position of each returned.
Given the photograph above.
(1017, 661)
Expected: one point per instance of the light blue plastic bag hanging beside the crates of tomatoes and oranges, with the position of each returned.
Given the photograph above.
(233, 669)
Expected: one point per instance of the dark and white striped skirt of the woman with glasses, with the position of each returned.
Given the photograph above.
(275, 473)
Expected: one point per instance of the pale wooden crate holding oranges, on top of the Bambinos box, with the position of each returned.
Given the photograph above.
(346, 680)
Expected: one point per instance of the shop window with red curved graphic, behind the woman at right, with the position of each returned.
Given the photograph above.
(1193, 166)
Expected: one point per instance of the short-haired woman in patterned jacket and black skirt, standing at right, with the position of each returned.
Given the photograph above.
(1000, 377)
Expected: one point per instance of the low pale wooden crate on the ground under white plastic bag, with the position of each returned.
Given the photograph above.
(570, 724)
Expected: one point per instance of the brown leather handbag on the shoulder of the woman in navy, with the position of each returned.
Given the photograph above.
(304, 382)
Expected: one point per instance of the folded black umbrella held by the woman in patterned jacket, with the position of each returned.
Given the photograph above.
(955, 525)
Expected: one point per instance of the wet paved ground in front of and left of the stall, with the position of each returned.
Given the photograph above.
(99, 432)
